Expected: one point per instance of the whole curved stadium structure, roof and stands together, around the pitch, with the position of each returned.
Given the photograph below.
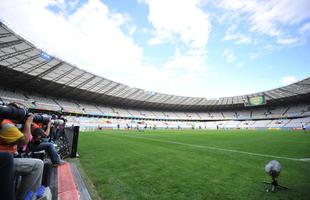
(48, 84)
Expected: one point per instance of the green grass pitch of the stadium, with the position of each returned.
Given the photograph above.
(166, 164)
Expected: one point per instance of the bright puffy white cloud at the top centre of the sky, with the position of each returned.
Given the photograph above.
(179, 21)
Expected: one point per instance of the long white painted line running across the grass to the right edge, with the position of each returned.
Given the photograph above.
(221, 149)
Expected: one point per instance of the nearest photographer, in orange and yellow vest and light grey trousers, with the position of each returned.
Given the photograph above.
(29, 169)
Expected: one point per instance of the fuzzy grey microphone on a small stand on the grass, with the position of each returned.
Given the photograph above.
(273, 168)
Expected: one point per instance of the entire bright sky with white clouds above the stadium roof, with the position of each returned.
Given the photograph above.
(200, 48)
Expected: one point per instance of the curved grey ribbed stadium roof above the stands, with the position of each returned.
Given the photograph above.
(25, 67)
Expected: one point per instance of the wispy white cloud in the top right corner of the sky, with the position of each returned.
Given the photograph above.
(268, 17)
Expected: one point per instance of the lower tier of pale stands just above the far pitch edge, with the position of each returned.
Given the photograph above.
(91, 123)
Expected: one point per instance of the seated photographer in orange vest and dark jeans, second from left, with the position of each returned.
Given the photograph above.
(40, 142)
